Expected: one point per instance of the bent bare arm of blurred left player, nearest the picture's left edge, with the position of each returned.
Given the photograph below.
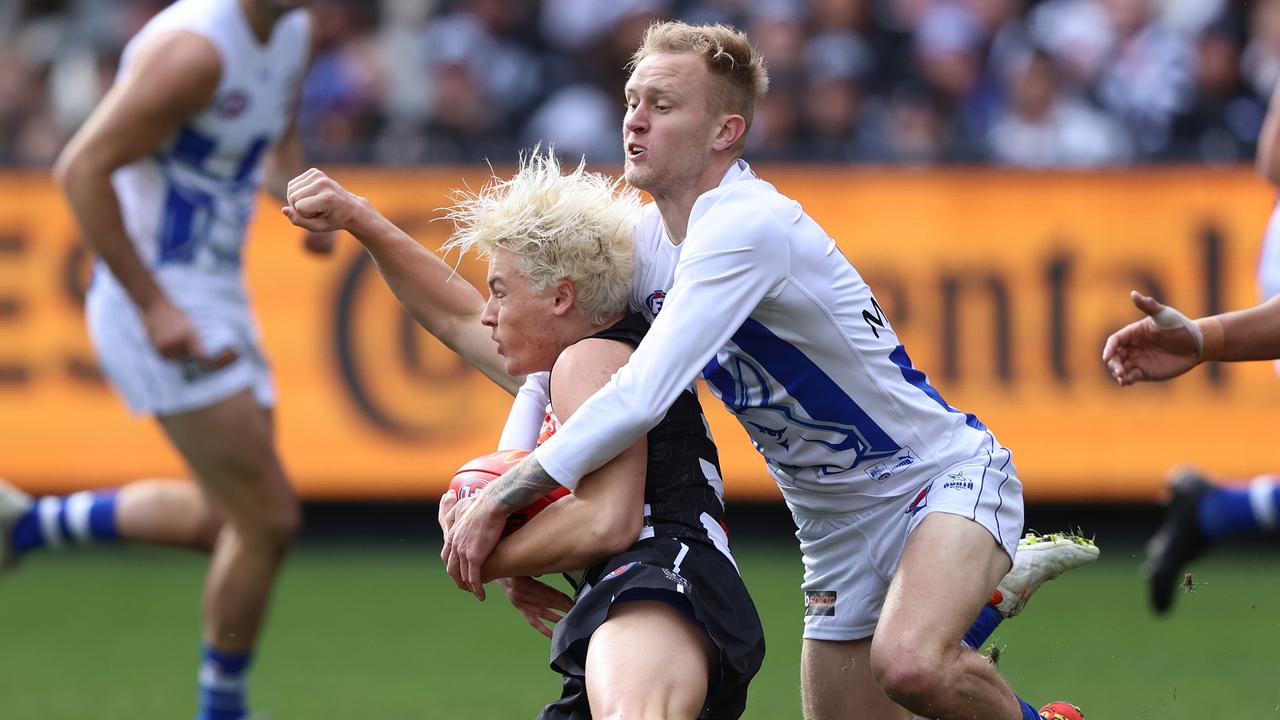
(171, 79)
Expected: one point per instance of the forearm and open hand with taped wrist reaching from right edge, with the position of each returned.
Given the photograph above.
(1167, 344)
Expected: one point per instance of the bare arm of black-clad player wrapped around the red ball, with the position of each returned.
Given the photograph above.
(605, 514)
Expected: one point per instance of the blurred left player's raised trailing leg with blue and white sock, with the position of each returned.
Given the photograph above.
(170, 513)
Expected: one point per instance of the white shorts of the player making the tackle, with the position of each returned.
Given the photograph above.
(849, 559)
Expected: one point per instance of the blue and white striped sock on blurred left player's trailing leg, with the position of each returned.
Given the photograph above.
(56, 522)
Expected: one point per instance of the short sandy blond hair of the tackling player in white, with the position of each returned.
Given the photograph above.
(729, 54)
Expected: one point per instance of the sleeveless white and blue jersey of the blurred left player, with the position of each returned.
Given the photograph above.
(189, 204)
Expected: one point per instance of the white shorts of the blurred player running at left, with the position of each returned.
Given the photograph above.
(152, 385)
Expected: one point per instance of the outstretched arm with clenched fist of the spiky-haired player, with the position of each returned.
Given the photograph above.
(438, 298)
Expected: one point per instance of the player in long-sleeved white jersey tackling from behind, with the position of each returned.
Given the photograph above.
(893, 485)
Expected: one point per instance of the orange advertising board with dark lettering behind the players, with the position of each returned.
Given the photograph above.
(1003, 285)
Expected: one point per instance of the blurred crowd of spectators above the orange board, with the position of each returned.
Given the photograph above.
(917, 83)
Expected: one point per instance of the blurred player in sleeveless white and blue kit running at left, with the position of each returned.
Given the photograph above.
(163, 181)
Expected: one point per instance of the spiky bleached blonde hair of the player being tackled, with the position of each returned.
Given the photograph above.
(575, 227)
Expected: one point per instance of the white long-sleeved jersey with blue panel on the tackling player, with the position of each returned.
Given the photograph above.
(762, 304)
